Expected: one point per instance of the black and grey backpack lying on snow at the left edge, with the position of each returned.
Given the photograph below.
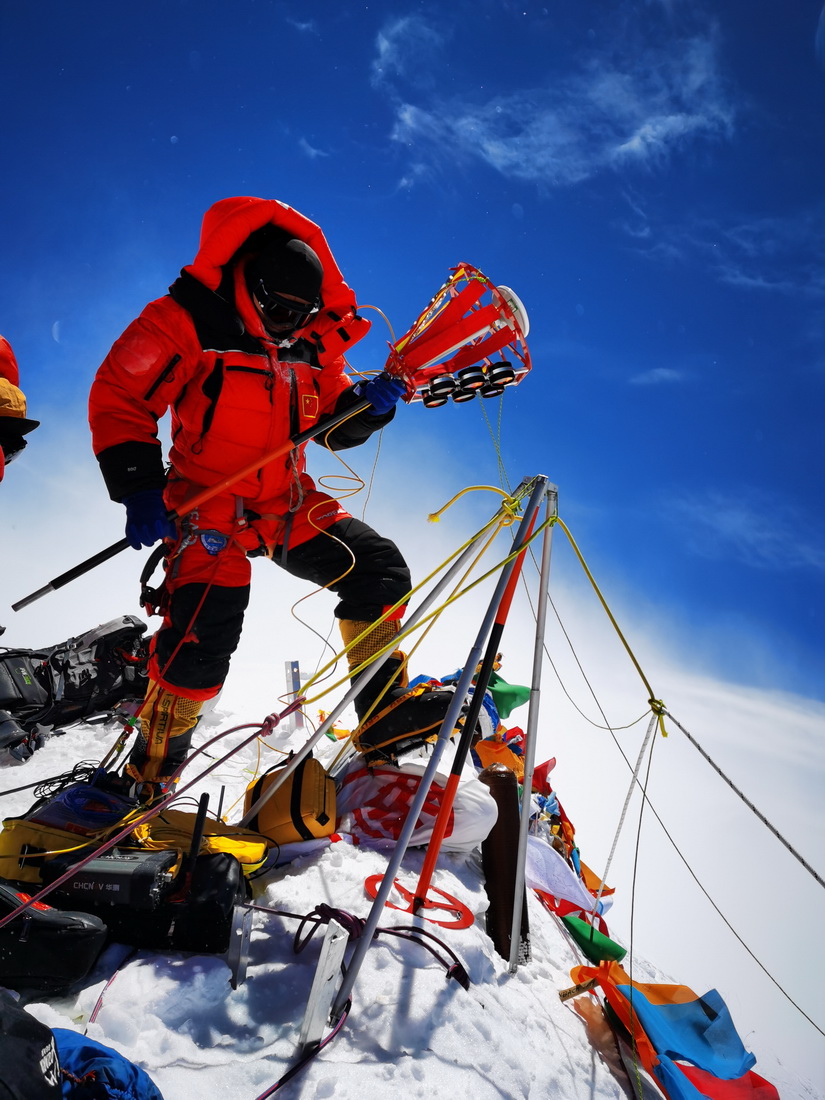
(61, 685)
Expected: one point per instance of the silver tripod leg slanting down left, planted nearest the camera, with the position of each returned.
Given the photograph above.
(540, 488)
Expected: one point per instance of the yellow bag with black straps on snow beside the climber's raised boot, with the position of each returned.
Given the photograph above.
(303, 808)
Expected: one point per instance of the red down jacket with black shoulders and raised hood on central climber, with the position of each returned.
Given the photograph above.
(202, 354)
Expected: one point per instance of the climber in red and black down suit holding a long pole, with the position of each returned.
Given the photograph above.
(246, 351)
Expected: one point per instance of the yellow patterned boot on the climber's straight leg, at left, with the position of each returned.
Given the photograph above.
(168, 722)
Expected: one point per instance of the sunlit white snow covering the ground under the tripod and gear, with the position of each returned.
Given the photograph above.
(411, 1032)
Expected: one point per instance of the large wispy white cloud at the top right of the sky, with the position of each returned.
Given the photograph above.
(615, 112)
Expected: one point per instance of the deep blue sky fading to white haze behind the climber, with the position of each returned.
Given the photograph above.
(647, 177)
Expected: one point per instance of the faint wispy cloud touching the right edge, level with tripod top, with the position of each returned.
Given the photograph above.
(761, 534)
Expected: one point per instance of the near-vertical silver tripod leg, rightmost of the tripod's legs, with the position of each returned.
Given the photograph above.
(533, 720)
